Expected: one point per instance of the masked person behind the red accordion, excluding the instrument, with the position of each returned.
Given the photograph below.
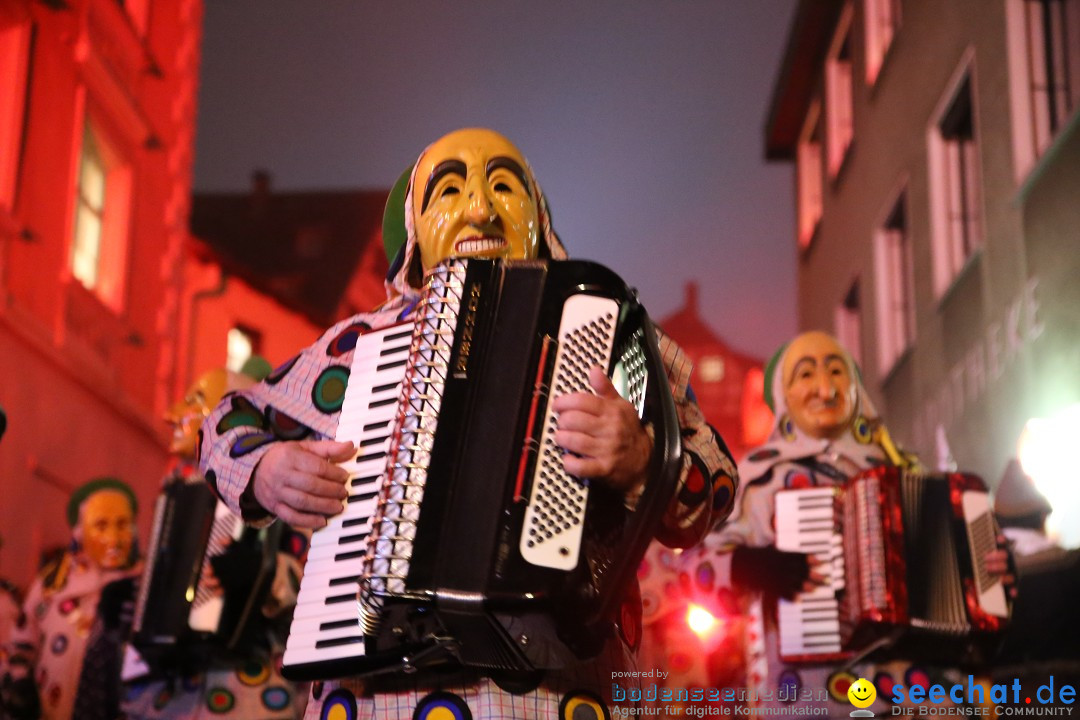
(826, 431)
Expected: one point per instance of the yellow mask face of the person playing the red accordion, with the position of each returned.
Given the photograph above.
(819, 389)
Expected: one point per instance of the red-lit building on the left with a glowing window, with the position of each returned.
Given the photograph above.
(98, 104)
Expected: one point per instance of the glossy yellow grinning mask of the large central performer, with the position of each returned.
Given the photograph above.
(472, 198)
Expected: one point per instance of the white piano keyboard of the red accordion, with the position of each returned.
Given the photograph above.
(806, 523)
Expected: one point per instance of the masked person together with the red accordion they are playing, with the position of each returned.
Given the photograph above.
(841, 549)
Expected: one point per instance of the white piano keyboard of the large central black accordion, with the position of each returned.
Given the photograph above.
(326, 624)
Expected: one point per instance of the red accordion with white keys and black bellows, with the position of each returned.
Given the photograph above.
(907, 564)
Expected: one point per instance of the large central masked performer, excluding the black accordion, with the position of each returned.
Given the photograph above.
(471, 194)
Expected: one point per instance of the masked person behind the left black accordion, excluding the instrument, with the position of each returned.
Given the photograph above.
(246, 683)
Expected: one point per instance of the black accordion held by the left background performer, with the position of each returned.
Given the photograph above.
(178, 617)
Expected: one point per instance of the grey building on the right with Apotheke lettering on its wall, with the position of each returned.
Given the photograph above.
(937, 153)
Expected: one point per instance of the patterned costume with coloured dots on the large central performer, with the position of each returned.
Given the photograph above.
(293, 404)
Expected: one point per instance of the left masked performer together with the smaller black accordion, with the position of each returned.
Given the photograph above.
(210, 610)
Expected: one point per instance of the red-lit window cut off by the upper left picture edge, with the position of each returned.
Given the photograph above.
(15, 58)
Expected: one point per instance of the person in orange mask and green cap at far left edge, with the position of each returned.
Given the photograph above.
(61, 619)
